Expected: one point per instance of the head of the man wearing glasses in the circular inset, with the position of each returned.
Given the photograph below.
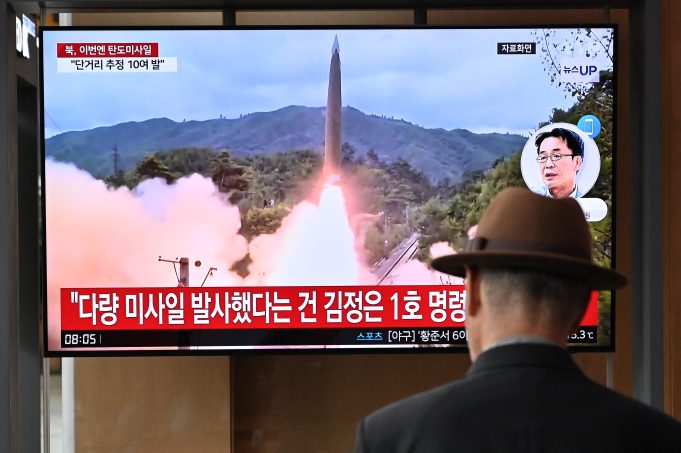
(560, 153)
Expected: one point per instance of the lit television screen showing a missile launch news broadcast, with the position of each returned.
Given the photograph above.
(247, 189)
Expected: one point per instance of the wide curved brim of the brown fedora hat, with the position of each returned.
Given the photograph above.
(597, 277)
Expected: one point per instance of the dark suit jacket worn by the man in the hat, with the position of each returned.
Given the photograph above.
(519, 398)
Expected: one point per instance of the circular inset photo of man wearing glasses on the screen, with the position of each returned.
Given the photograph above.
(560, 160)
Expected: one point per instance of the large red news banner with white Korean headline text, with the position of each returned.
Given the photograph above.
(111, 309)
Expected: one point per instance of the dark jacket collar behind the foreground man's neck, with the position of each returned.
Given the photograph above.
(524, 354)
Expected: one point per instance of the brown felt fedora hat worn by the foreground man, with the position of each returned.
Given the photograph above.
(520, 229)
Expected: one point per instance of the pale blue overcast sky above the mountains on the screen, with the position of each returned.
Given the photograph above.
(435, 78)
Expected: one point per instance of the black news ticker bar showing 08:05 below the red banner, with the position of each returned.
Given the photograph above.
(279, 338)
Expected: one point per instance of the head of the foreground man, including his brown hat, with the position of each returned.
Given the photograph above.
(528, 269)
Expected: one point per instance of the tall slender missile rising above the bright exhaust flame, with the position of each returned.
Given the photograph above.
(332, 132)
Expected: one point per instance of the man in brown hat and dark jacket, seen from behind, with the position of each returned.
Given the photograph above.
(529, 275)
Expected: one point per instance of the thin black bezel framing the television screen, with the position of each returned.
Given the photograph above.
(456, 349)
